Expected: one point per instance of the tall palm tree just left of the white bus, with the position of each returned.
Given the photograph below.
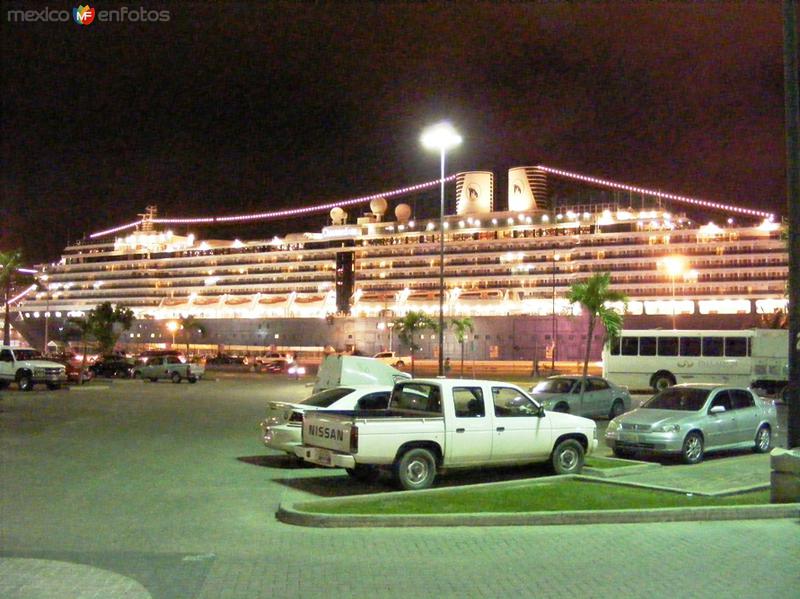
(593, 295)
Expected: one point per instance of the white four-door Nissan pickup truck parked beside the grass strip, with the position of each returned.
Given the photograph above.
(435, 424)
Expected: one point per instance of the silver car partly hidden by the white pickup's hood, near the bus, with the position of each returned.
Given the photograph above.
(563, 394)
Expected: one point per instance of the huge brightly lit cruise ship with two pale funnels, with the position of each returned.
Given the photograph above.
(510, 269)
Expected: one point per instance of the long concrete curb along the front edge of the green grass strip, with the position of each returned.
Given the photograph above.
(291, 515)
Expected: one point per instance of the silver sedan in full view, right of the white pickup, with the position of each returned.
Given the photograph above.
(691, 419)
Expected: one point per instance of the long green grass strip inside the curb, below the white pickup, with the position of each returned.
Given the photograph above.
(568, 495)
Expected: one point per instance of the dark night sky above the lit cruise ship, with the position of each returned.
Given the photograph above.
(231, 108)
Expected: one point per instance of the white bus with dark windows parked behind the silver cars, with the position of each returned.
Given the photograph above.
(659, 358)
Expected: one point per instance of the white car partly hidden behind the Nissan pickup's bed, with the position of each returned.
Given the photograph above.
(283, 427)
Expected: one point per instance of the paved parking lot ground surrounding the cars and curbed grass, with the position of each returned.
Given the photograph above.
(168, 488)
